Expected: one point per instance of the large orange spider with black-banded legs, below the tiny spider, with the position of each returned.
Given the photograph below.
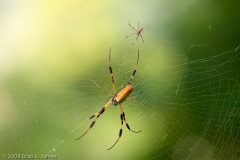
(115, 100)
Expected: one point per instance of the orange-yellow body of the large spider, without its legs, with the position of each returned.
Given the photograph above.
(122, 95)
